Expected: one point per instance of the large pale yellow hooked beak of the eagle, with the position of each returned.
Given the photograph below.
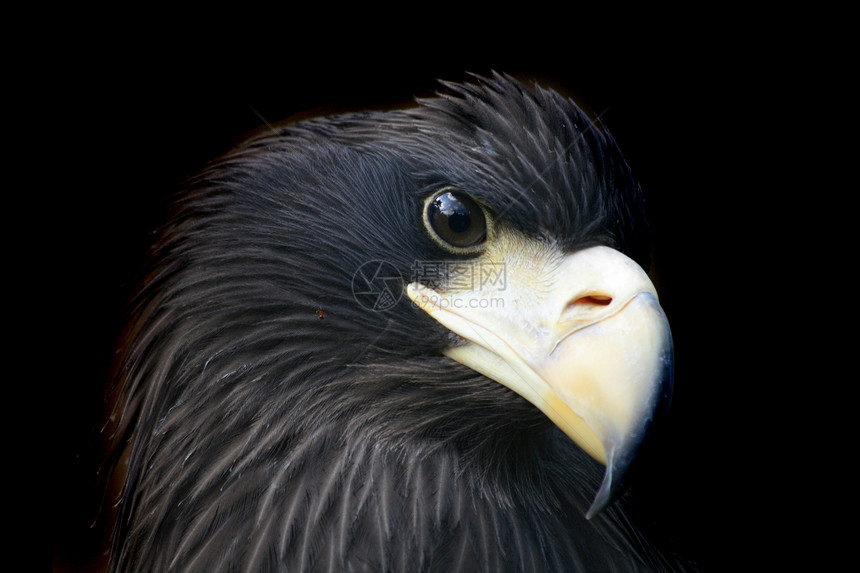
(580, 336)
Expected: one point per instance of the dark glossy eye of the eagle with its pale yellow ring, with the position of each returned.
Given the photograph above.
(456, 220)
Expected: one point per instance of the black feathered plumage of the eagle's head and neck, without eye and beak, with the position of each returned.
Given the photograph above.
(263, 438)
